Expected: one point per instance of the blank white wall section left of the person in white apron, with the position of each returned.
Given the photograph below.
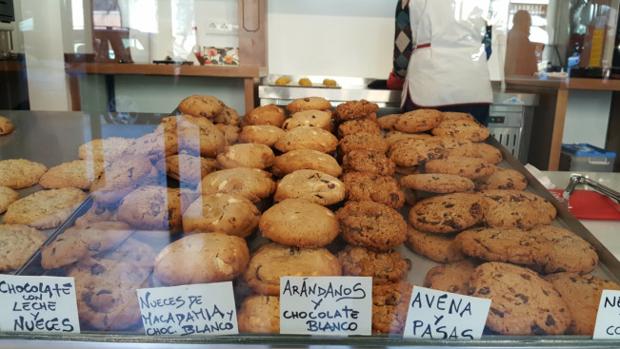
(326, 37)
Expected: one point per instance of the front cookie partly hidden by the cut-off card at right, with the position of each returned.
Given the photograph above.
(582, 294)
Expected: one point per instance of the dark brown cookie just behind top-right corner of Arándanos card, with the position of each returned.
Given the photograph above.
(384, 268)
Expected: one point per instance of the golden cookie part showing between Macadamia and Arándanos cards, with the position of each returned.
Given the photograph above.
(259, 314)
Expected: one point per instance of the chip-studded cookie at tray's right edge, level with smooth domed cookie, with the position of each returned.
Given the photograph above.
(513, 208)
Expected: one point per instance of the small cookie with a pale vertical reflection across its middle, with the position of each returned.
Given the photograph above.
(186, 168)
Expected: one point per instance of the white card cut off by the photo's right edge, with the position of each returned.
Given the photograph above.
(608, 317)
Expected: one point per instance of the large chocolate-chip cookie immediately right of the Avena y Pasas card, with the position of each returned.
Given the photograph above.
(522, 303)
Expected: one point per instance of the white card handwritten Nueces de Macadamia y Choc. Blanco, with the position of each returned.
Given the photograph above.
(202, 309)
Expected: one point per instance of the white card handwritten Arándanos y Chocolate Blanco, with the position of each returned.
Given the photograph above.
(329, 306)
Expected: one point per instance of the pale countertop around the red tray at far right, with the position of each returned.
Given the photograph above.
(608, 232)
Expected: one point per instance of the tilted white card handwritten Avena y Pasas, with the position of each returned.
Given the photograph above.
(441, 315)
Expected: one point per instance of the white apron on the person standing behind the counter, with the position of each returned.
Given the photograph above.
(453, 70)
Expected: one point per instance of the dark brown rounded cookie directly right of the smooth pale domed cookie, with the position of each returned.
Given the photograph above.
(373, 225)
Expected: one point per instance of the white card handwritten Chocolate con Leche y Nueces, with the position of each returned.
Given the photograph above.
(38, 304)
